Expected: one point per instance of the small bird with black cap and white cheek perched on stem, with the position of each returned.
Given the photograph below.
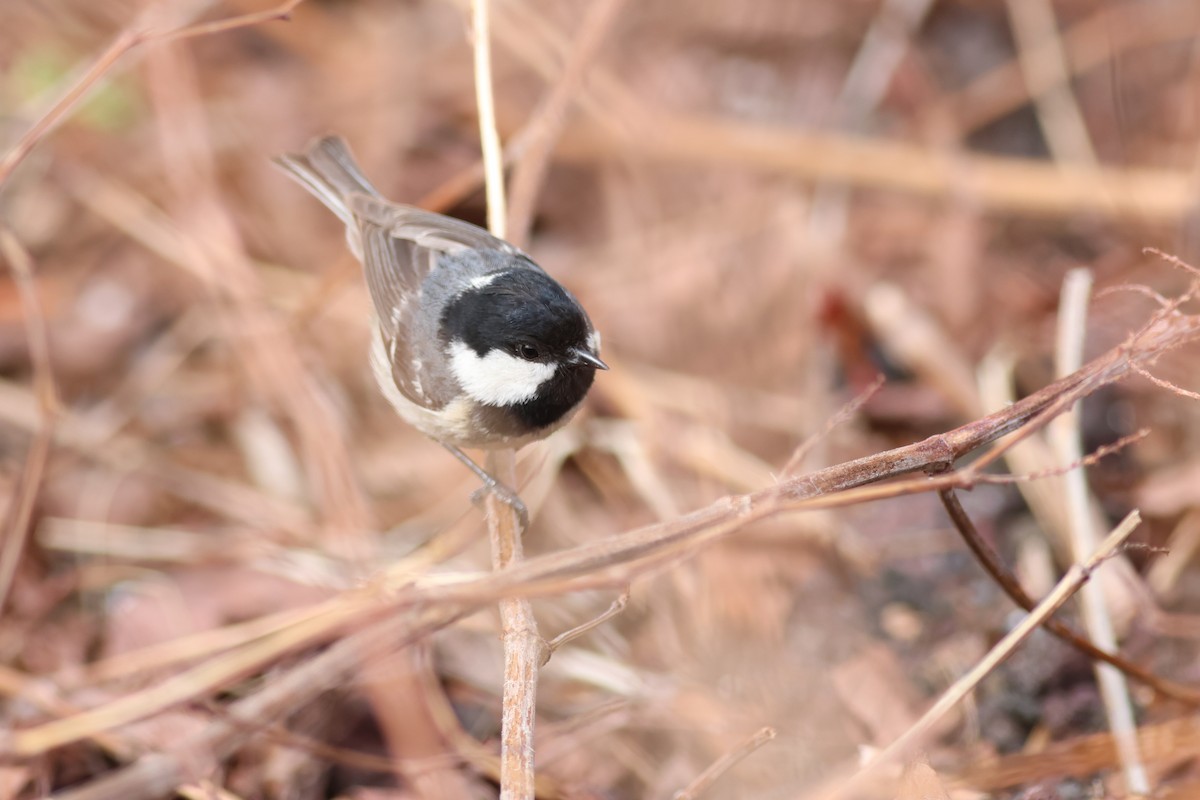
(472, 342)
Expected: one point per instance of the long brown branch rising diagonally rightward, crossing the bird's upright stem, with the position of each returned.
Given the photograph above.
(615, 562)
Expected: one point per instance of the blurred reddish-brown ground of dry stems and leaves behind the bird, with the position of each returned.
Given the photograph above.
(764, 207)
